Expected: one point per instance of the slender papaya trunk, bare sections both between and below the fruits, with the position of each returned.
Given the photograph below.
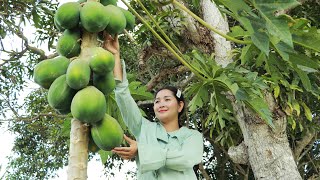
(78, 153)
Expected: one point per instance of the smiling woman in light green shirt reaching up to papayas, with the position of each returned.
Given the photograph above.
(163, 149)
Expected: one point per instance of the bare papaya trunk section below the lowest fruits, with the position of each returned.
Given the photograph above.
(78, 152)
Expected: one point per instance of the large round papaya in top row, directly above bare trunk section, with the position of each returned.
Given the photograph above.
(93, 17)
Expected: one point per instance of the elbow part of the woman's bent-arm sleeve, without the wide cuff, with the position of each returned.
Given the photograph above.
(189, 155)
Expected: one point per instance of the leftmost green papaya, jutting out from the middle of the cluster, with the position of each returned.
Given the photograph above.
(46, 71)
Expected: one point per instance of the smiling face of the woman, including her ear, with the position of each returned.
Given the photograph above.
(166, 106)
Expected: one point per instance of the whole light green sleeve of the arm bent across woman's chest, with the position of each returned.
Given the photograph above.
(153, 157)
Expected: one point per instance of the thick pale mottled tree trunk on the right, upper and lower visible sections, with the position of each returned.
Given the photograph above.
(266, 150)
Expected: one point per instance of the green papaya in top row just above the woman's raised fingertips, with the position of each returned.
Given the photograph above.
(118, 21)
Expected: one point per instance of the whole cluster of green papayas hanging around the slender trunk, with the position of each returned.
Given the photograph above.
(81, 86)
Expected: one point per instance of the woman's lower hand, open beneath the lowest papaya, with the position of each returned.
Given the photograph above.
(127, 152)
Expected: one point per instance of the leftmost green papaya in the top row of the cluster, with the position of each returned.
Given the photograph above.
(68, 15)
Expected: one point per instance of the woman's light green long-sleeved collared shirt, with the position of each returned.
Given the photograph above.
(161, 155)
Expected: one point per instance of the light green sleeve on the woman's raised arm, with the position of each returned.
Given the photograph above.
(129, 109)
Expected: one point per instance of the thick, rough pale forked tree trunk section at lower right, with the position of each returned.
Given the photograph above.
(268, 150)
